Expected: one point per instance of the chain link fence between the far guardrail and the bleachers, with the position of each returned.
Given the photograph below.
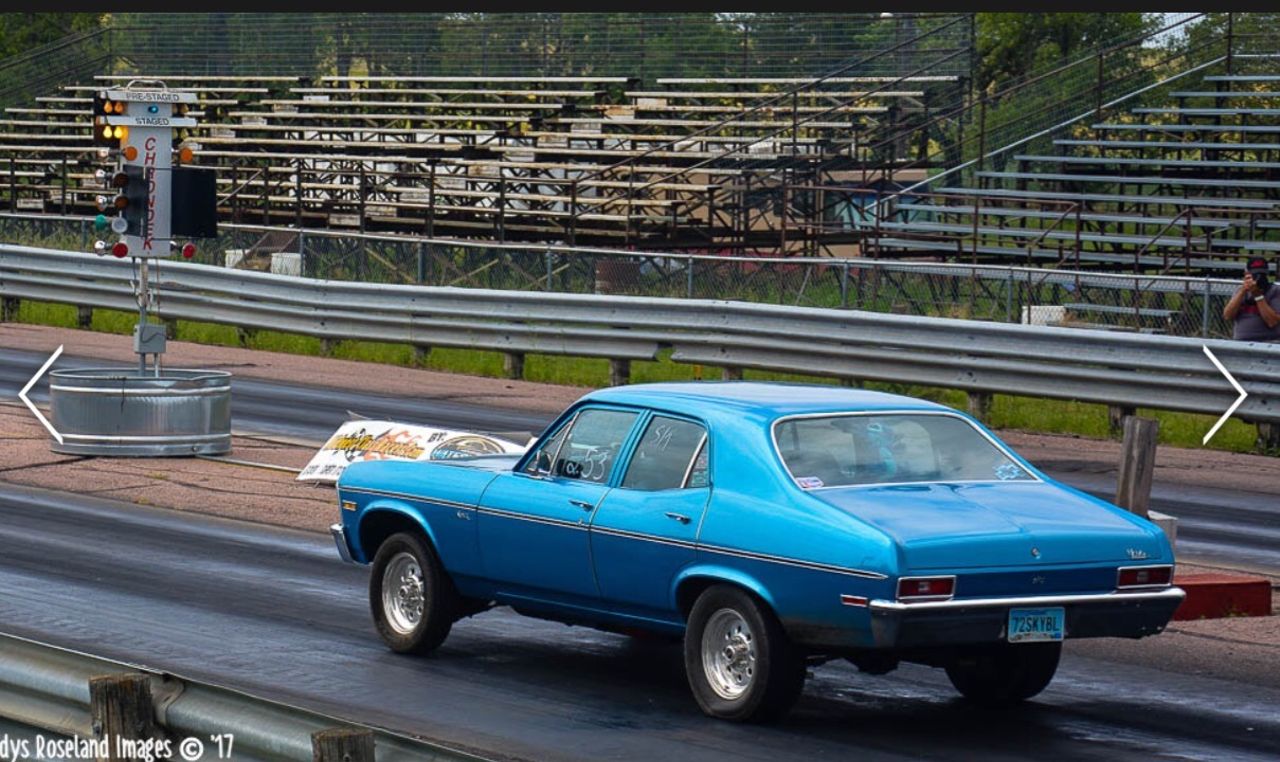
(1154, 304)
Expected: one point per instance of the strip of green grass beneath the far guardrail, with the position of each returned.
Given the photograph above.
(1008, 412)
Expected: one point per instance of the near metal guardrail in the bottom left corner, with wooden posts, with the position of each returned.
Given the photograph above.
(45, 691)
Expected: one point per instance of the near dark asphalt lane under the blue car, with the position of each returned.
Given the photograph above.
(273, 612)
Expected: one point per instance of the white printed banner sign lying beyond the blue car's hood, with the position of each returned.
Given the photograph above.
(374, 440)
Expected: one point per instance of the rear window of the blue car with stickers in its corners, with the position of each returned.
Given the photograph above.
(892, 449)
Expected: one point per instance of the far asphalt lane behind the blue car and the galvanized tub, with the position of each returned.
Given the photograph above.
(1235, 527)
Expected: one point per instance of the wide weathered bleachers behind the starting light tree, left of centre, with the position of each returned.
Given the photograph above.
(602, 161)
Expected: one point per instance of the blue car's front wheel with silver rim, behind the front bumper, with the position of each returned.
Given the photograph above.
(412, 597)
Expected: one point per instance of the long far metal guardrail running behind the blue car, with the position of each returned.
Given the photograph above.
(1128, 371)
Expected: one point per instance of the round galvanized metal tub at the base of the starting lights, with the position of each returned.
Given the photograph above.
(122, 413)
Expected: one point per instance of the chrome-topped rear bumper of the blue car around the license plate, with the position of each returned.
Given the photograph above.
(985, 620)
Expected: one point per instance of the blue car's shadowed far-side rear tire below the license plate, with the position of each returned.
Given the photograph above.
(1005, 674)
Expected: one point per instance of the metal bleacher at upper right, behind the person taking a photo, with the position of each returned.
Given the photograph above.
(1188, 186)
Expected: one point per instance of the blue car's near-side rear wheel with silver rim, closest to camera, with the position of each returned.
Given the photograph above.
(738, 659)
